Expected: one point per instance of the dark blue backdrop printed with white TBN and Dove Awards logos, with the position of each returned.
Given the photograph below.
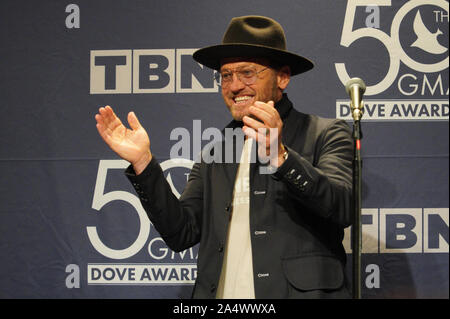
(71, 226)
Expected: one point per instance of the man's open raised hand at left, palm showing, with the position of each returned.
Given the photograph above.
(131, 145)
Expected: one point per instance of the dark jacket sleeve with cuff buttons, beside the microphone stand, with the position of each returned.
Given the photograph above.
(325, 185)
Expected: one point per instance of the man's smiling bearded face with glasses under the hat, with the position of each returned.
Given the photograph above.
(268, 86)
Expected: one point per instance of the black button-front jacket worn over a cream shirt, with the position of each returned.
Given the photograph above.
(297, 214)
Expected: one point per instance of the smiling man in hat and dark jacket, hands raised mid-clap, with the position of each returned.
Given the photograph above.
(261, 235)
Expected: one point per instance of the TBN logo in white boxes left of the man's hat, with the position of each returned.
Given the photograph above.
(149, 71)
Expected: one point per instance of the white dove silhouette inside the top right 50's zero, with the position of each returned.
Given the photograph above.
(426, 40)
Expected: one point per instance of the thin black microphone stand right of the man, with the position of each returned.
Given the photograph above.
(357, 185)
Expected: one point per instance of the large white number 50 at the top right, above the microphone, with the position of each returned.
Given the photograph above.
(391, 42)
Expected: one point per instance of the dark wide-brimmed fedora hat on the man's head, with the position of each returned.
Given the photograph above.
(253, 36)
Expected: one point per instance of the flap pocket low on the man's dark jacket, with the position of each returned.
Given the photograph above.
(314, 272)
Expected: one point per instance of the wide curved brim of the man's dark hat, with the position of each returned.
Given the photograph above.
(211, 56)
